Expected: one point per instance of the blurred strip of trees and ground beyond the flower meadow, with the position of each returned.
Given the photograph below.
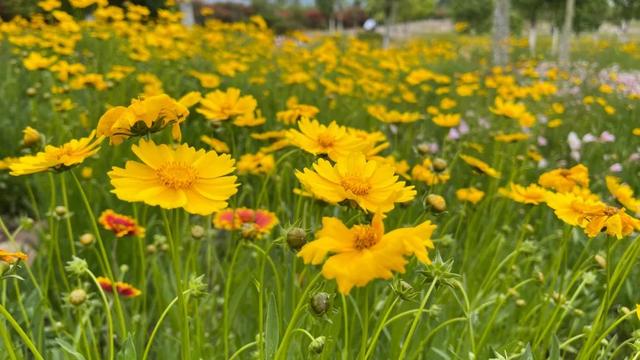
(414, 16)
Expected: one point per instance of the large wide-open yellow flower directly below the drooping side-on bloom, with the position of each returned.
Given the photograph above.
(174, 178)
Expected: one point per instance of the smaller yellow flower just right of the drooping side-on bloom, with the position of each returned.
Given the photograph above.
(218, 105)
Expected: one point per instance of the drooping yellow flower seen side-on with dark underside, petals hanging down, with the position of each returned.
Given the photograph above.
(142, 117)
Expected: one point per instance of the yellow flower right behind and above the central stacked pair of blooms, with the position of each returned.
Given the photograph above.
(333, 140)
